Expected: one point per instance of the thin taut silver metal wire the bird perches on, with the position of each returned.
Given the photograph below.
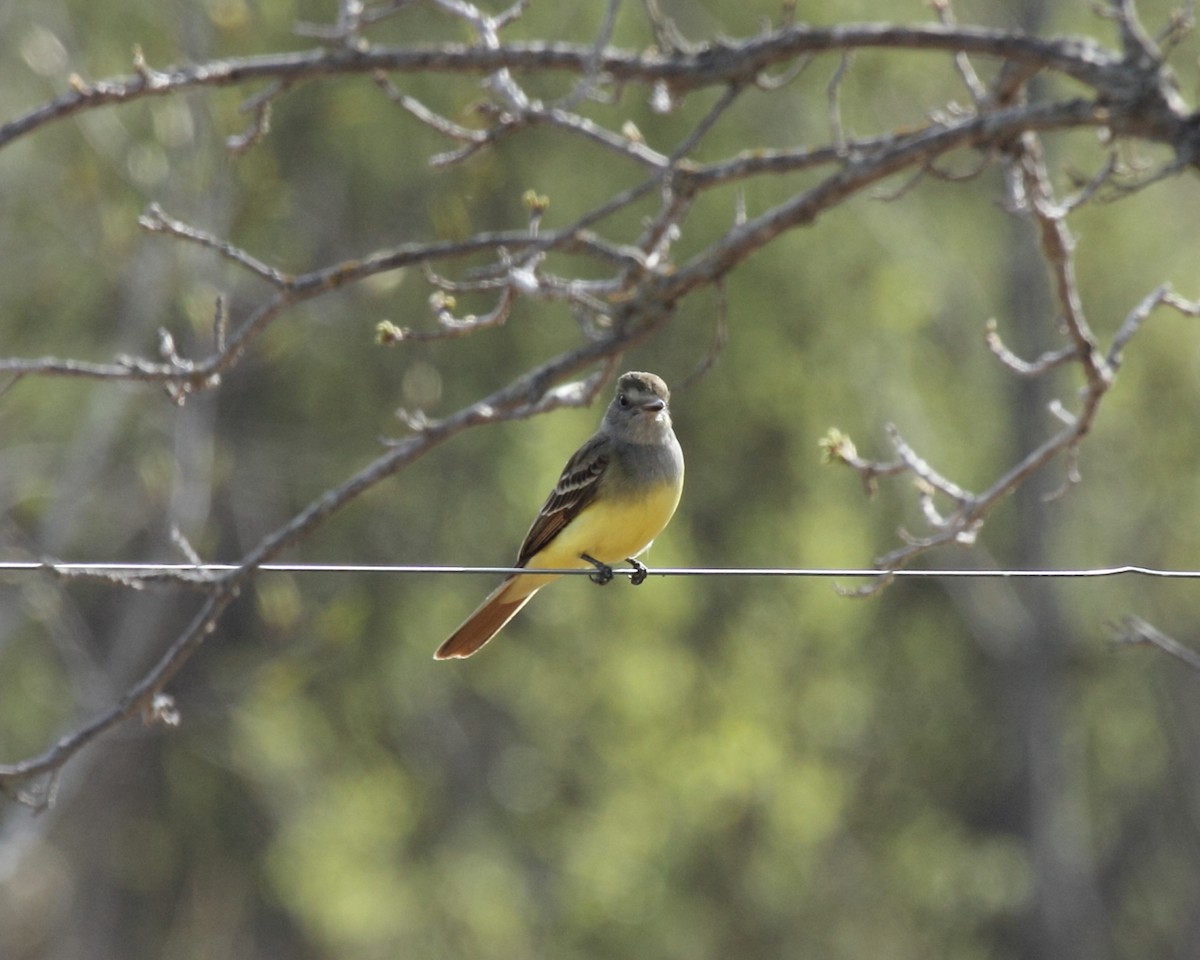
(142, 569)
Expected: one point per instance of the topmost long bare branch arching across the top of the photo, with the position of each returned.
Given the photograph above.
(707, 65)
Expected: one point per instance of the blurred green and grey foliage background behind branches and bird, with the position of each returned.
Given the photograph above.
(707, 767)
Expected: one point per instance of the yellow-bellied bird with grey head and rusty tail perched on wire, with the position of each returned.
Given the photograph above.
(615, 496)
